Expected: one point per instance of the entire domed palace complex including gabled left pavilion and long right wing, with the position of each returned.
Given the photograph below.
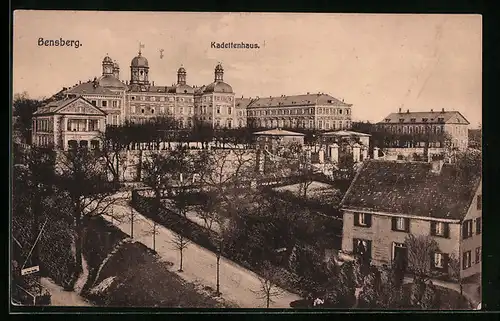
(85, 109)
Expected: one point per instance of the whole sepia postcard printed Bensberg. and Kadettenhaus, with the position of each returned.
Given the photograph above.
(246, 160)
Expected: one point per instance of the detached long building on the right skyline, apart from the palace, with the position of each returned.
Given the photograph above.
(424, 124)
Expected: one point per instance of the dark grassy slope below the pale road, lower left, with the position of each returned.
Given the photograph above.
(141, 279)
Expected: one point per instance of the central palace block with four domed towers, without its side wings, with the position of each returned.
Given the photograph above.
(138, 100)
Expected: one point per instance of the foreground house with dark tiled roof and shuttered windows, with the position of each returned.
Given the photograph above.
(388, 200)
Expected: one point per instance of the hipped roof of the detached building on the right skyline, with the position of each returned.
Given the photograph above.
(445, 117)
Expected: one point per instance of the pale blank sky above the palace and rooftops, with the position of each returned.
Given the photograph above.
(378, 63)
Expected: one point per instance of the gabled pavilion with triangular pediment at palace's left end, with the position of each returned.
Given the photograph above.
(68, 123)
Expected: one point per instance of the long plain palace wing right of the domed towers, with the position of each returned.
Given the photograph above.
(311, 111)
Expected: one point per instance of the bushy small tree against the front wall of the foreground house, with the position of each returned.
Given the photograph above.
(420, 250)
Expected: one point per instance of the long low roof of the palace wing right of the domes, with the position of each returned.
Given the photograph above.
(297, 100)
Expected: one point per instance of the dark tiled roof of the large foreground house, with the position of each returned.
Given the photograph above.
(411, 188)
